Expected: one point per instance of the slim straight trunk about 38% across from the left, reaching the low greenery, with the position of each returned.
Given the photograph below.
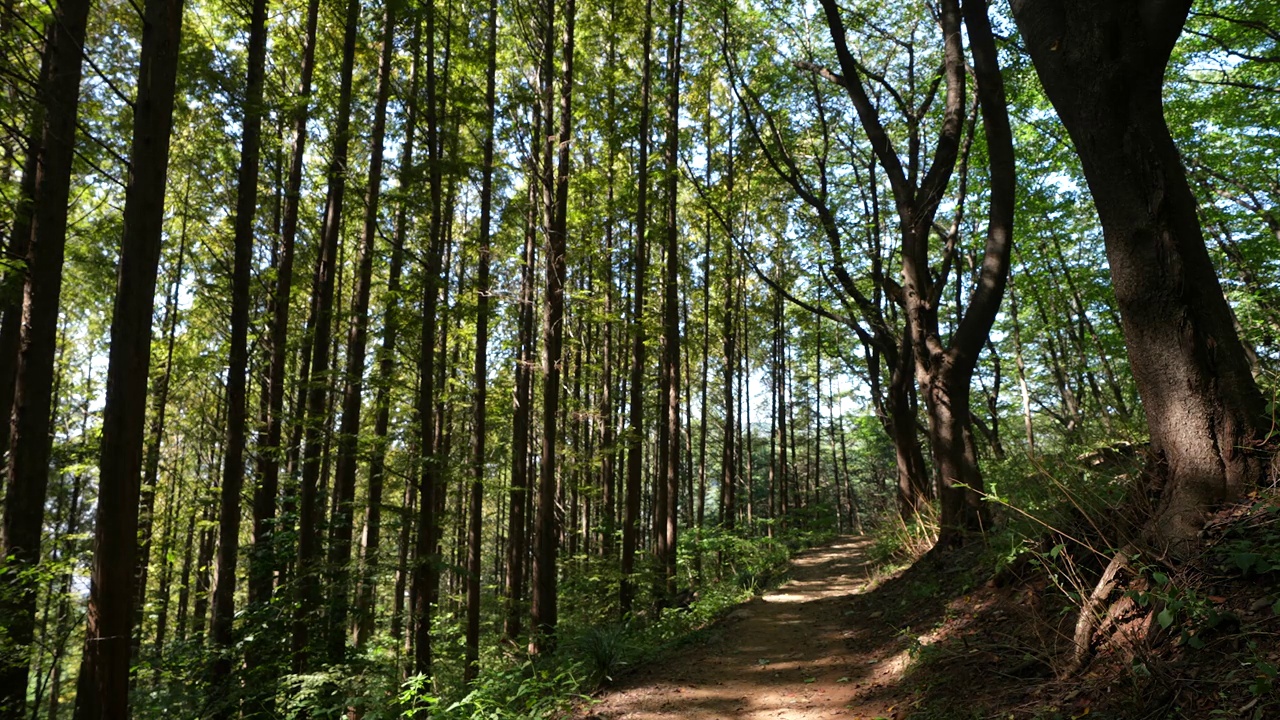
(479, 427)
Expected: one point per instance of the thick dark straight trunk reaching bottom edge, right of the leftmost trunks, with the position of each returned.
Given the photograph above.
(104, 681)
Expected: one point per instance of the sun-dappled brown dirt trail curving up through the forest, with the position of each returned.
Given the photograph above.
(794, 654)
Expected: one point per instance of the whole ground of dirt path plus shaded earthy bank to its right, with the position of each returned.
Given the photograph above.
(944, 640)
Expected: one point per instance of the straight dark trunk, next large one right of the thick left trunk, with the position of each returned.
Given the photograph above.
(237, 371)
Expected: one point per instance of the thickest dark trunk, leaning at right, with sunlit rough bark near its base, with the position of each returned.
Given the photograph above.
(1103, 67)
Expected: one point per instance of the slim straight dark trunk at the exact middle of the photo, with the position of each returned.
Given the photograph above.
(636, 423)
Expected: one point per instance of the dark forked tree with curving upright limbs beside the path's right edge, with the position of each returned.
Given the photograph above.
(945, 368)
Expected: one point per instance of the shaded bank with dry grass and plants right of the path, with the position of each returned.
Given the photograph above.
(1188, 640)
